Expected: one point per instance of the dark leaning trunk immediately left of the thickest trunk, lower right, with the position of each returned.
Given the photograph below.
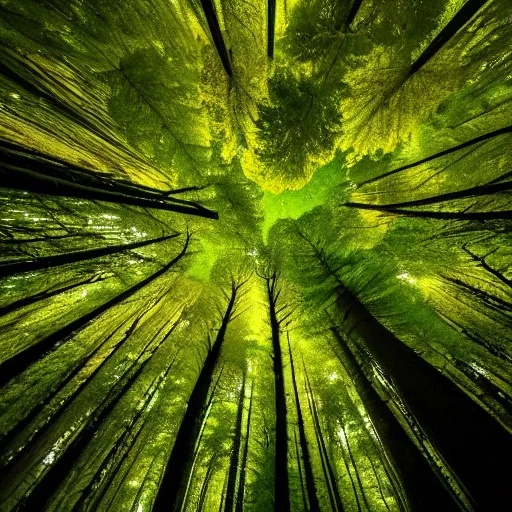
(424, 490)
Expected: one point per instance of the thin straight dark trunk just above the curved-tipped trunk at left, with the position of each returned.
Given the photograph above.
(8, 268)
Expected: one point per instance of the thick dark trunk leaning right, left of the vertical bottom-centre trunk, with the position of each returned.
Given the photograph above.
(172, 486)
